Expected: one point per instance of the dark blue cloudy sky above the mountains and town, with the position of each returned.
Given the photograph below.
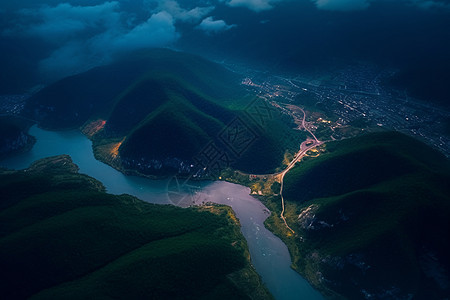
(55, 38)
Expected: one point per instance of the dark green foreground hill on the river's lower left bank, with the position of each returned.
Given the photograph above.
(63, 237)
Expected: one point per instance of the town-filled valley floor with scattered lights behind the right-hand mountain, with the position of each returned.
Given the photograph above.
(354, 99)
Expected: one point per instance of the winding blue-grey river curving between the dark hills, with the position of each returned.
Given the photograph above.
(269, 254)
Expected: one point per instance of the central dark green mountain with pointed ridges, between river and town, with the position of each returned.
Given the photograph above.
(159, 110)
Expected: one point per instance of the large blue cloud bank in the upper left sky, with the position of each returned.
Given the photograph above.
(86, 36)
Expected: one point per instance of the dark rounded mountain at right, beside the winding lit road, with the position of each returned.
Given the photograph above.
(371, 217)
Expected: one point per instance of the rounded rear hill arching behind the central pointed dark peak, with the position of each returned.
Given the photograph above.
(70, 102)
